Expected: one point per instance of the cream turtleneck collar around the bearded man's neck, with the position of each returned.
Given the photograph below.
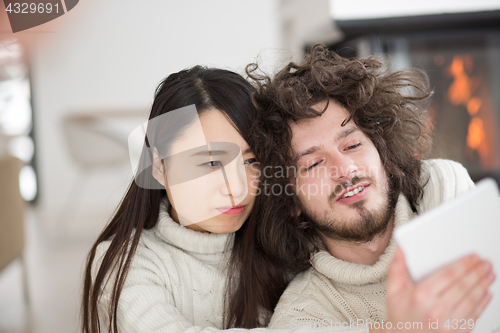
(357, 274)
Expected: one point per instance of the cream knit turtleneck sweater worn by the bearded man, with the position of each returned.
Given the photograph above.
(336, 291)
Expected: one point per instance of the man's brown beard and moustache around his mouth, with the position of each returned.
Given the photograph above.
(364, 228)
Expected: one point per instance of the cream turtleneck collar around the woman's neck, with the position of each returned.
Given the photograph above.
(186, 239)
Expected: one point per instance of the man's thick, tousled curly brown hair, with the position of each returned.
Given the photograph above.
(389, 107)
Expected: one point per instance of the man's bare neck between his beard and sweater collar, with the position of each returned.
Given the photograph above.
(365, 253)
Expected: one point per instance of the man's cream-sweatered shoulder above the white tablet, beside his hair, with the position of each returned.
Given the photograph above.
(443, 180)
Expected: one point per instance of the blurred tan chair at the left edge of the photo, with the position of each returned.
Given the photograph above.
(12, 217)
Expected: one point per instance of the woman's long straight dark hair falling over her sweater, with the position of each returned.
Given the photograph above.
(248, 295)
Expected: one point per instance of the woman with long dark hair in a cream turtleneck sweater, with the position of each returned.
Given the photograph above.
(166, 261)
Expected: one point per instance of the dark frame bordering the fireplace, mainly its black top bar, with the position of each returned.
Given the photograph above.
(360, 33)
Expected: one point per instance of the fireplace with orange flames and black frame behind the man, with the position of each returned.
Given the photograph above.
(461, 55)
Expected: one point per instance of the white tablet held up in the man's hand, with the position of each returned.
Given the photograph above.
(468, 224)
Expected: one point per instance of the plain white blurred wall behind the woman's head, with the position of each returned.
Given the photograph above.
(111, 54)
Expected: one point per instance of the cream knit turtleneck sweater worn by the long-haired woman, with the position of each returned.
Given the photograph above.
(175, 283)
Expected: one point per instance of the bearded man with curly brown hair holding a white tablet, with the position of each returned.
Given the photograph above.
(356, 135)
